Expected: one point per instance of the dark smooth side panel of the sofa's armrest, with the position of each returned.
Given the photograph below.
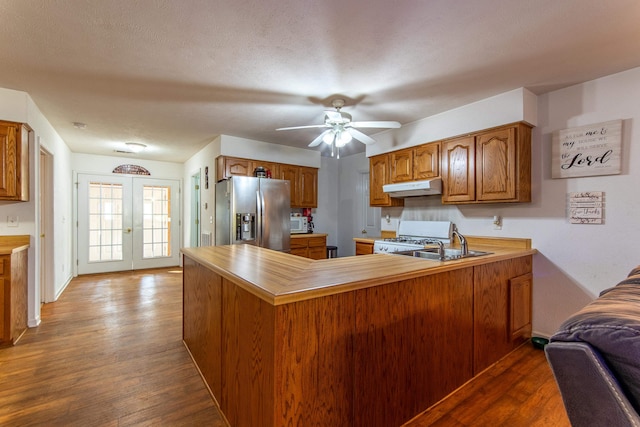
(591, 394)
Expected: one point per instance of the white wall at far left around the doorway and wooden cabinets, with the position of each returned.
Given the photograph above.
(19, 107)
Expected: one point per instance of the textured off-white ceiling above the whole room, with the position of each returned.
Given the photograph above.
(174, 74)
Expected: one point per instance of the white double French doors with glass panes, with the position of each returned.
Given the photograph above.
(127, 223)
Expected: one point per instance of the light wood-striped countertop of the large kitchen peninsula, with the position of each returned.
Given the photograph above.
(280, 278)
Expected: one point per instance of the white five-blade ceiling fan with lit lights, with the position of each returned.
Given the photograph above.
(340, 129)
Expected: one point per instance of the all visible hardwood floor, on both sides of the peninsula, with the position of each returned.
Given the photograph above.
(109, 352)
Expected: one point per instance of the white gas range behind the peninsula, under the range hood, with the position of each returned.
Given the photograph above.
(415, 235)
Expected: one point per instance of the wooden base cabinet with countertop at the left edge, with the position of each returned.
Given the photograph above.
(13, 290)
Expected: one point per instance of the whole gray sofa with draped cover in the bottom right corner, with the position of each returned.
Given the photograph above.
(595, 358)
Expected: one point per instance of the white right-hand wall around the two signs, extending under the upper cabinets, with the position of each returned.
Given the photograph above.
(575, 262)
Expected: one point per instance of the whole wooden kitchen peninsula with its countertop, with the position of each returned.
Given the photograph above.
(356, 341)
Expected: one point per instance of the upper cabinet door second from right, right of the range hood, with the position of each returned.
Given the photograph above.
(458, 170)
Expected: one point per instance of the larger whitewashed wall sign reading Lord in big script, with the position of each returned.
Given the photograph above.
(587, 150)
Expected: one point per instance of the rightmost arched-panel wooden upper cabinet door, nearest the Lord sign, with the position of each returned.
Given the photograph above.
(496, 165)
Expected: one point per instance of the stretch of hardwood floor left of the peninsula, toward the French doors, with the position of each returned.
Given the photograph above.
(109, 352)
